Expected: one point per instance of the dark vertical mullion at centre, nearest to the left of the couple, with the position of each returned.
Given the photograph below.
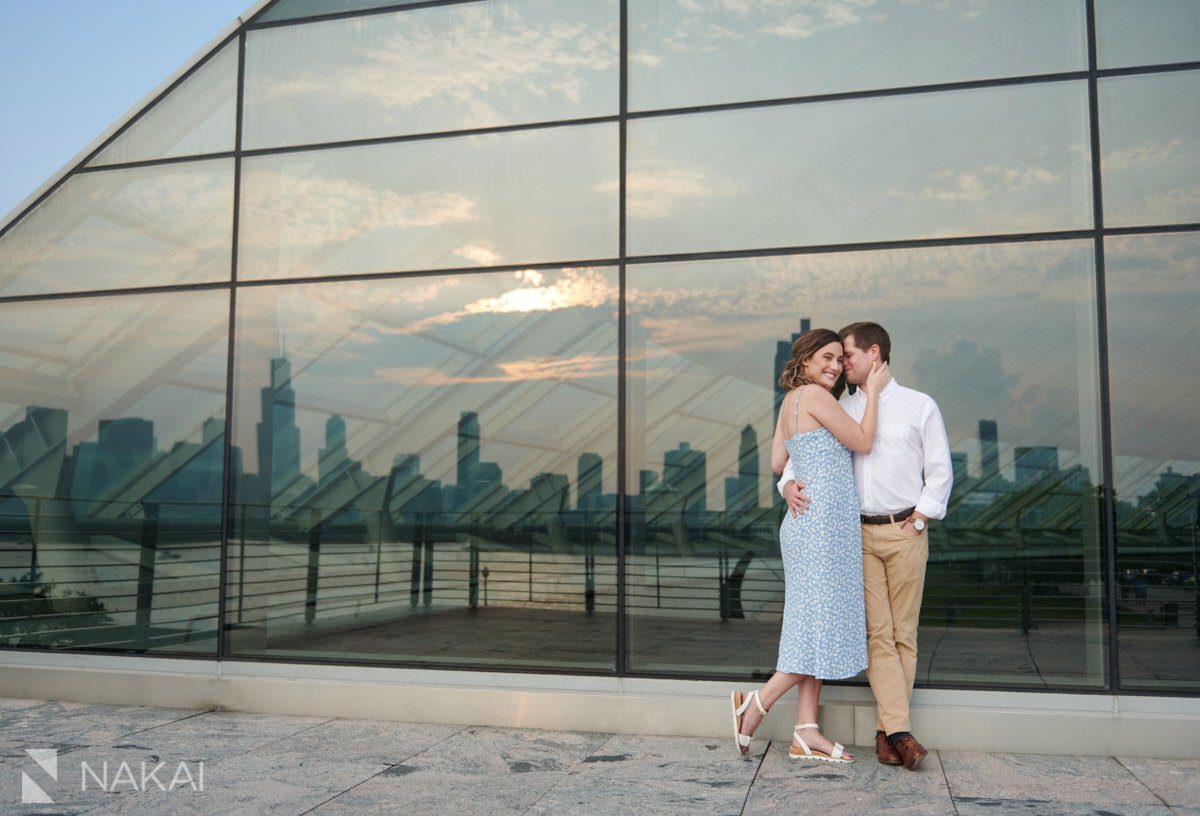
(622, 344)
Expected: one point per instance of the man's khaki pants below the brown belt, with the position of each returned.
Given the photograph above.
(893, 583)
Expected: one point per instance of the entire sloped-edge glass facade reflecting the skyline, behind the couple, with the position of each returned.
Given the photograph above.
(447, 334)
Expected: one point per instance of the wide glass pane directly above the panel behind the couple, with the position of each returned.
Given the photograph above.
(983, 161)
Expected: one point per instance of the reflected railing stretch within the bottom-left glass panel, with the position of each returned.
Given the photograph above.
(111, 575)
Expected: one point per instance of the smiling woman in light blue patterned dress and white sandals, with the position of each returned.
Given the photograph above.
(825, 629)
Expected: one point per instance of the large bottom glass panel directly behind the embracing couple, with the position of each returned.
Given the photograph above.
(1003, 338)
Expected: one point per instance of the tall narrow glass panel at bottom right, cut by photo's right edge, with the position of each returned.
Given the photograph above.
(1154, 298)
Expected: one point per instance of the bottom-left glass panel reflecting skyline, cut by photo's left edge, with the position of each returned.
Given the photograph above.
(112, 448)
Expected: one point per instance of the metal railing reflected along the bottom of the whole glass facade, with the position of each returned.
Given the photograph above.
(143, 575)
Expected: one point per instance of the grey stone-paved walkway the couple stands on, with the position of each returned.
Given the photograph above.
(262, 765)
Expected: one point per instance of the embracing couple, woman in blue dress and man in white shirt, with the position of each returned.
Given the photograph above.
(862, 477)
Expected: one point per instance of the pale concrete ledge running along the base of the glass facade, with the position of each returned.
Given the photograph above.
(1097, 725)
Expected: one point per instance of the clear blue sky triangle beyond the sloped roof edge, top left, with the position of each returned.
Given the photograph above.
(69, 69)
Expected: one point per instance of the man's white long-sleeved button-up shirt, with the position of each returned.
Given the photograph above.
(910, 460)
